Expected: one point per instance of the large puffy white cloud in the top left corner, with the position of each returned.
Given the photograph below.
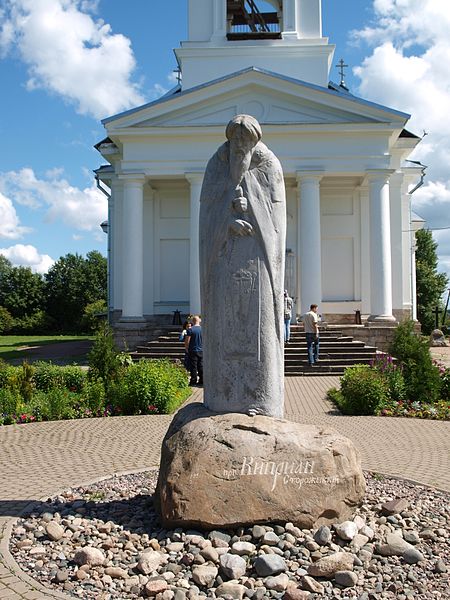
(71, 54)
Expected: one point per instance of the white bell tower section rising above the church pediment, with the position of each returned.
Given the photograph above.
(282, 36)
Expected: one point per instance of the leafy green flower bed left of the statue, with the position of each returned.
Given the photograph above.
(47, 392)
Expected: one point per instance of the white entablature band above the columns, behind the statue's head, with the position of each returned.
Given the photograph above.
(334, 152)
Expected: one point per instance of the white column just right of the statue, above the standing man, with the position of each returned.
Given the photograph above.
(309, 239)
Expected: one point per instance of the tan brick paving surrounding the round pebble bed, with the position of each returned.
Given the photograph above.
(39, 459)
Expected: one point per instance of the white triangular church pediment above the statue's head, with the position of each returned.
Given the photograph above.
(270, 98)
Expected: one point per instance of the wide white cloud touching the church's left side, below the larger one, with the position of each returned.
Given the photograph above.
(82, 209)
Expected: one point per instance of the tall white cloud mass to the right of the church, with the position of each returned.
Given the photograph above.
(409, 69)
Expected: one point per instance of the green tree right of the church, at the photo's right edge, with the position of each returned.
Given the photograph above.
(430, 284)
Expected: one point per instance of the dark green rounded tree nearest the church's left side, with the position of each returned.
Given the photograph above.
(73, 282)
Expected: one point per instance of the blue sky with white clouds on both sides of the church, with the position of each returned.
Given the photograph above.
(66, 64)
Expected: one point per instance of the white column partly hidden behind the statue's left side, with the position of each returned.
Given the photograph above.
(195, 181)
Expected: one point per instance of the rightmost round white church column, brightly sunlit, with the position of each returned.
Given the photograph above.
(380, 246)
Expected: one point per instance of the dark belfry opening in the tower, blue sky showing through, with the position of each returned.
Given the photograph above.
(254, 19)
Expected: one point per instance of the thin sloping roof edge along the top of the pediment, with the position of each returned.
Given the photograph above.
(332, 91)
